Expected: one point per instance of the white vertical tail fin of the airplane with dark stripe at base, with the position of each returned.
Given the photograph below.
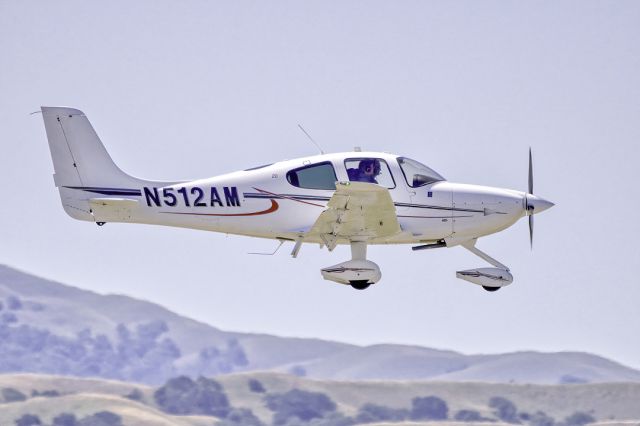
(83, 167)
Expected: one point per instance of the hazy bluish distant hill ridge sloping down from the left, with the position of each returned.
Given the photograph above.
(118, 337)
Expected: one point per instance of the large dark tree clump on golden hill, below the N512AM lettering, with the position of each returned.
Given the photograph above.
(182, 395)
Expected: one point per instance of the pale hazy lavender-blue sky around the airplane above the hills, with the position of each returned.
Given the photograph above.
(197, 88)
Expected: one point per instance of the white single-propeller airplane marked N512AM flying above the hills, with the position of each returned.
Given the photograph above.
(356, 198)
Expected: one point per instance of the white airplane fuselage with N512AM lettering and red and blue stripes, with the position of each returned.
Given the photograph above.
(262, 203)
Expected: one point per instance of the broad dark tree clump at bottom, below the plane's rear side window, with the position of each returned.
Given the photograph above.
(299, 404)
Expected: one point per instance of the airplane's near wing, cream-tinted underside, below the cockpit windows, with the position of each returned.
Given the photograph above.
(357, 210)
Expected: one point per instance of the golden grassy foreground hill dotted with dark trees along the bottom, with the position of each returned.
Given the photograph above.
(607, 402)
